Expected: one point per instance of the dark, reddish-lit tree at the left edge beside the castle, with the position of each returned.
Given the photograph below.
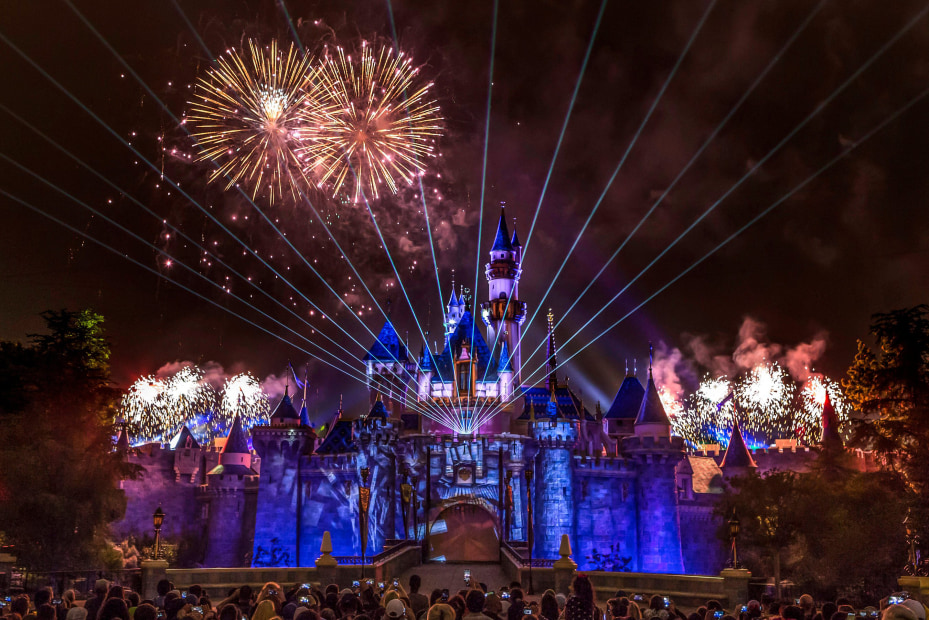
(59, 475)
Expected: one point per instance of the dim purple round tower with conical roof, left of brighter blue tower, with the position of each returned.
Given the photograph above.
(230, 495)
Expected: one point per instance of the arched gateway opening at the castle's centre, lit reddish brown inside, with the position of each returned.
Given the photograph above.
(464, 532)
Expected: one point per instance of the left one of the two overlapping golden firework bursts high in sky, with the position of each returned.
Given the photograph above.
(249, 113)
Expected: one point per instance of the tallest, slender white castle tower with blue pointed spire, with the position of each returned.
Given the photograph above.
(503, 313)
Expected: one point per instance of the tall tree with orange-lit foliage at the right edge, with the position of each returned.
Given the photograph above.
(890, 390)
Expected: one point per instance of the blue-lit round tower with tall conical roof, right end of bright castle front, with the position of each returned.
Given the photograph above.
(656, 455)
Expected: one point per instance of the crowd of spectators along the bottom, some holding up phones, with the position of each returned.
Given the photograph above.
(367, 600)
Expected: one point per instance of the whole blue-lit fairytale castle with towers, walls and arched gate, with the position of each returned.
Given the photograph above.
(454, 451)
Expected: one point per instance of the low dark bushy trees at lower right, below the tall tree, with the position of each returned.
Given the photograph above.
(821, 530)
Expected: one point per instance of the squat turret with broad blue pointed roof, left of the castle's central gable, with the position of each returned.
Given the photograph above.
(389, 369)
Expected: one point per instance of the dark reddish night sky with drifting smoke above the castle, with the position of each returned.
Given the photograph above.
(799, 286)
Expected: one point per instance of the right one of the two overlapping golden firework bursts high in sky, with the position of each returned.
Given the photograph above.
(369, 126)
